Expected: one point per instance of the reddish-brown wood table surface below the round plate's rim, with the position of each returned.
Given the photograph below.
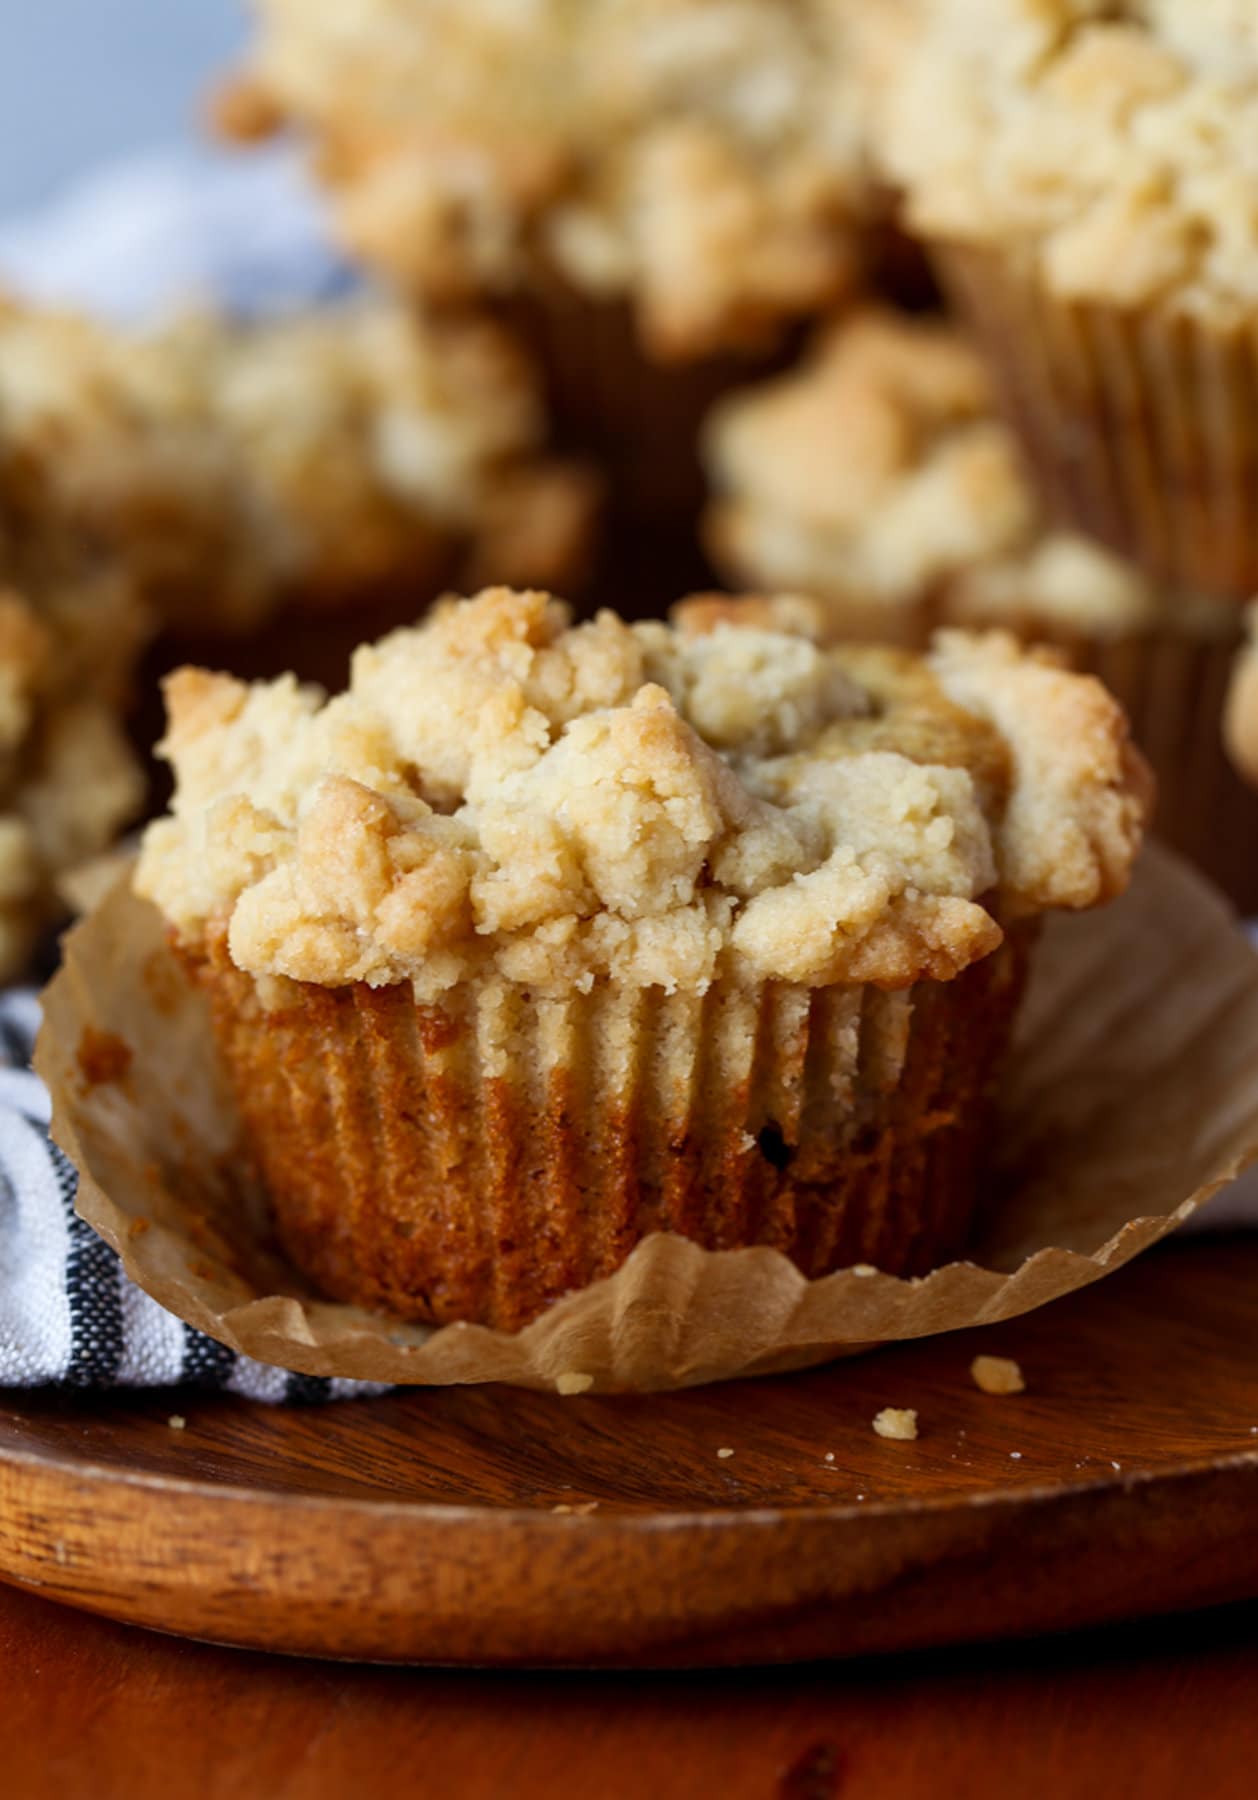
(93, 1709)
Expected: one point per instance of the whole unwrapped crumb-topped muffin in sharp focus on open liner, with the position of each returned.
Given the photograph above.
(546, 939)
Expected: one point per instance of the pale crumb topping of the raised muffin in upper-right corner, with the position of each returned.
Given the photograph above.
(1113, 141)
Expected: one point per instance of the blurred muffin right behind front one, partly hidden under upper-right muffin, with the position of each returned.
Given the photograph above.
(879, 480)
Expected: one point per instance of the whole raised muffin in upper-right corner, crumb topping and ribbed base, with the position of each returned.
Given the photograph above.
(1086, 174)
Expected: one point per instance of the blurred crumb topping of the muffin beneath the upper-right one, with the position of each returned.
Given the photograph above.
(879, 478)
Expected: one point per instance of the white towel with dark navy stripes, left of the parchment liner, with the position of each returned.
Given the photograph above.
(69, 1317)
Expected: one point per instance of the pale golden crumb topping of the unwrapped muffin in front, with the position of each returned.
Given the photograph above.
(505, 795)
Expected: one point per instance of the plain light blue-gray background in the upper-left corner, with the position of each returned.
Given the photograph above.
(89, 80)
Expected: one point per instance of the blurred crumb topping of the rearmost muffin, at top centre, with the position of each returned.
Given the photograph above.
(701, 157)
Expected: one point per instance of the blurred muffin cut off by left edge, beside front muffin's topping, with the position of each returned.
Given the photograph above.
(67, 777)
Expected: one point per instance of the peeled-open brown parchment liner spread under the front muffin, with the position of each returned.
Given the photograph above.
(1133, 1095)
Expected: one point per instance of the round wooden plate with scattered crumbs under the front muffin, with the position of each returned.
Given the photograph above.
(494, 1527)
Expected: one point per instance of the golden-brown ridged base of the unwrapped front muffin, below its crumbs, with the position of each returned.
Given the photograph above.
(840, 1126)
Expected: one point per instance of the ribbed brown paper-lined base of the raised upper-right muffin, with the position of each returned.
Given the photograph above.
(1140, 426)
